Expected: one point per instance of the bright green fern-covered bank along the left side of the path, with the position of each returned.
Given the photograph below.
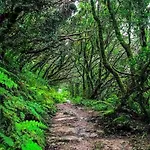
(26, 101)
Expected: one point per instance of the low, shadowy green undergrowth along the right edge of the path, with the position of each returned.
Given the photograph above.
(111, 119)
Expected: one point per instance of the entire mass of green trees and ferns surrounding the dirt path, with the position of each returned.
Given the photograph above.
(99, 50)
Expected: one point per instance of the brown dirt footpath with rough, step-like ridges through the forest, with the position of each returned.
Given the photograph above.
(72, 130)
